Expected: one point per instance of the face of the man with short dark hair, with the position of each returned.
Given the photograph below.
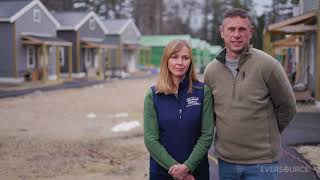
(236, 33)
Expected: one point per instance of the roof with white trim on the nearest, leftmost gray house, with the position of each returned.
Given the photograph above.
(12, 10)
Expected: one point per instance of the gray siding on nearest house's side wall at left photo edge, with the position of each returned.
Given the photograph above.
(6, 50)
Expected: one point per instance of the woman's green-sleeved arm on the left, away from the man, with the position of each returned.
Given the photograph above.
(151, 134)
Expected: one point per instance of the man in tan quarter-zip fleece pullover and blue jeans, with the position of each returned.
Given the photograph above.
(253, 103)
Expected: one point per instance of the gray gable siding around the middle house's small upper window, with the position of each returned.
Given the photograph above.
(87, 33)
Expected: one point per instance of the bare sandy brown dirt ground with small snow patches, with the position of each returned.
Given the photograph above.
(66, 134)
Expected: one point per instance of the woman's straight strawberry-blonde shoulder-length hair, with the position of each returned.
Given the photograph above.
(165, 82)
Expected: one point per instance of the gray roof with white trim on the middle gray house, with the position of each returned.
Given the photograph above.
(74, 20)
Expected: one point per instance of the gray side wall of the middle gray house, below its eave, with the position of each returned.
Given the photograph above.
(70, 36)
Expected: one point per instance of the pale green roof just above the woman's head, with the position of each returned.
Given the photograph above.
(162, 40)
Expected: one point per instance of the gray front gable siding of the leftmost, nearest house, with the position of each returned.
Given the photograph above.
(26, 24)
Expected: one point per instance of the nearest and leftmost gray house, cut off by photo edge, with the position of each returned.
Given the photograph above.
(29, 47)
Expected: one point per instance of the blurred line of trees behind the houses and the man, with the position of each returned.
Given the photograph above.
(179, 16)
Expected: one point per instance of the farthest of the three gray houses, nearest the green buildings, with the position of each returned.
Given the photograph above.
(125, 35)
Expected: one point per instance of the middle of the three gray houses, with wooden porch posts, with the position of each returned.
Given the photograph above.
(86, 31)
